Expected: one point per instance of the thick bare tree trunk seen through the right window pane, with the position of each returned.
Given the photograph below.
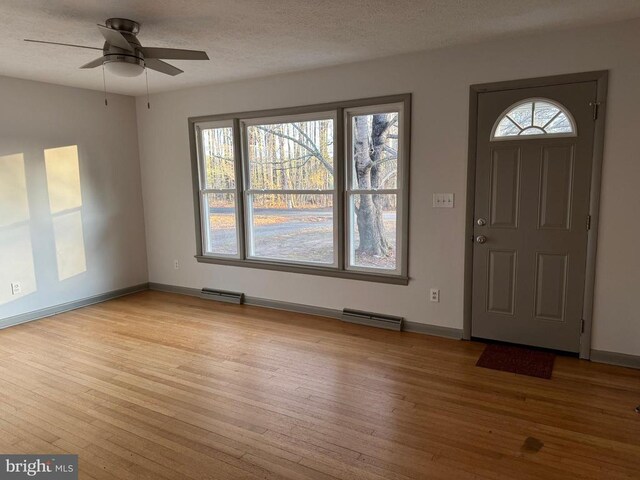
(368, 152)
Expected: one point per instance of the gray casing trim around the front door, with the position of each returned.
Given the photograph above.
(601, 78)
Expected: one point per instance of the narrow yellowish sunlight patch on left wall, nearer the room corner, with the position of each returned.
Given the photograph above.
(65, 202)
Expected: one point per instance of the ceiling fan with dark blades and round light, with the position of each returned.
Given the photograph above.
(123, 55)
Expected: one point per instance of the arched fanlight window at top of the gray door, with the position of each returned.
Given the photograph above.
(534, 116)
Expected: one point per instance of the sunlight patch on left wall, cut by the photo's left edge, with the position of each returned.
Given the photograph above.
(16, 253)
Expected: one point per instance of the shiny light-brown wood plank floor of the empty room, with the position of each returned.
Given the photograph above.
(163, 386)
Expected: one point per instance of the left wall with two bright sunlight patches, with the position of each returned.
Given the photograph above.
(66, 237)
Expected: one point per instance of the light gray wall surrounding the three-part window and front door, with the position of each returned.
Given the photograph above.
(440, 83)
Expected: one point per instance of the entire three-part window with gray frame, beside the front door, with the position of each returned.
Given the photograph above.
(317, 189)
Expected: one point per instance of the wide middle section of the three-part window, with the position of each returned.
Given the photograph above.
(290, 199)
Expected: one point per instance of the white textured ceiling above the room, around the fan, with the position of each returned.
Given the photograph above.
(251, 38)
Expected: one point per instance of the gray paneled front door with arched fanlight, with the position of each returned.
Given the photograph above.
(533, 175)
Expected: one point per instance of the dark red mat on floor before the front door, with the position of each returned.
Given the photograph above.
(523, 361)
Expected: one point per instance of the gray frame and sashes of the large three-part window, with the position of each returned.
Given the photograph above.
(339, 113)
